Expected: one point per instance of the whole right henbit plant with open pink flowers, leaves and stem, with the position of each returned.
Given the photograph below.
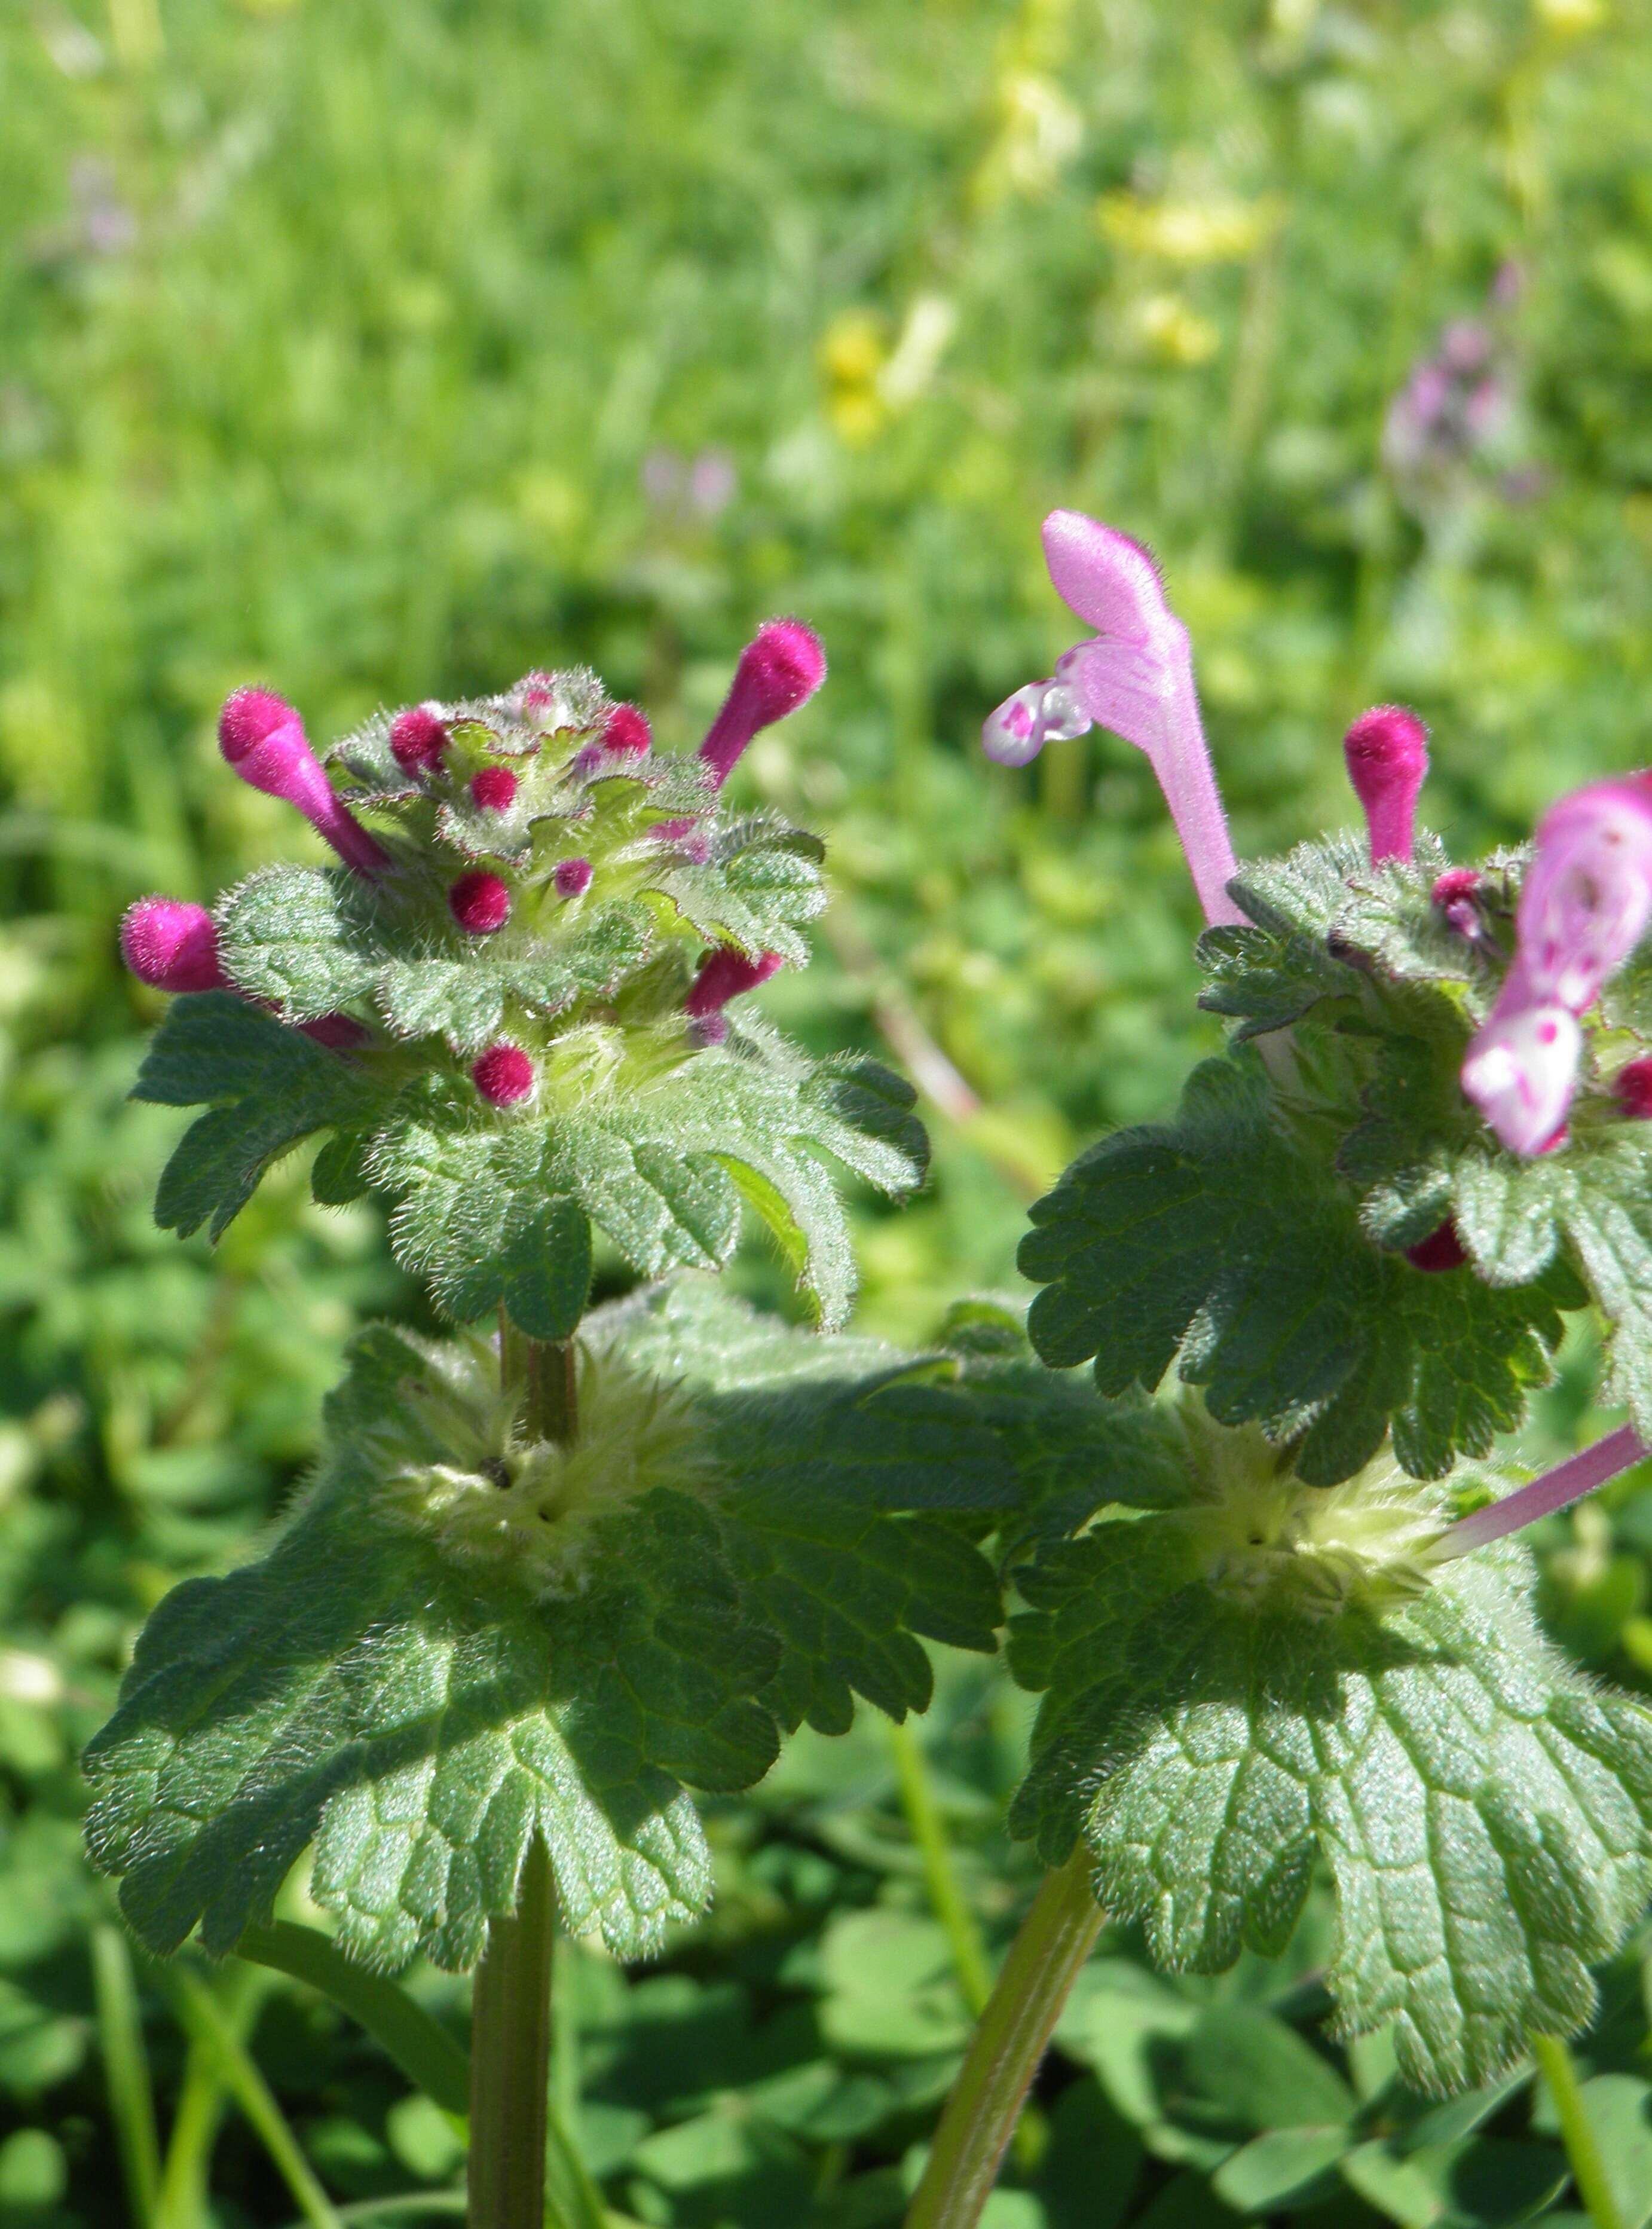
(1305, 1633)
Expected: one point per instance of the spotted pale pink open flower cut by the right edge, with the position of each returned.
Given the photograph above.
(1584, 908)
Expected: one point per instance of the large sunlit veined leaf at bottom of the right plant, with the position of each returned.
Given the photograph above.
(1486, 1811)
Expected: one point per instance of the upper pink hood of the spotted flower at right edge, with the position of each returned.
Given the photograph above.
(1588, 895)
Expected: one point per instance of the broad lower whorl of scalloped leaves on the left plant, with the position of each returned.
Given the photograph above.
(420, 1722)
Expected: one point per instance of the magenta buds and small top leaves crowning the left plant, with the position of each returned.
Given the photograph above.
(501, 812)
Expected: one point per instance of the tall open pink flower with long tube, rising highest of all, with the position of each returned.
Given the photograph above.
(1136, 677)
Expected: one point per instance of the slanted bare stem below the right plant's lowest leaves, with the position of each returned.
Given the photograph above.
(1007, 2050)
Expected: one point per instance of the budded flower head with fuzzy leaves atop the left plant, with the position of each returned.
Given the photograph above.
(514, 997)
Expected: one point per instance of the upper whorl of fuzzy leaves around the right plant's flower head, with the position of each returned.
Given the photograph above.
(1261, 1238)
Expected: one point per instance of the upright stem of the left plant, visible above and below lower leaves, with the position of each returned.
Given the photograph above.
(512, 2007)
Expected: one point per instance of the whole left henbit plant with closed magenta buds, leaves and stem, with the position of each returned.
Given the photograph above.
(550, 1573)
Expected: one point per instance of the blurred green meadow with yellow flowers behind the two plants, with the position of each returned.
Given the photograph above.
(389, 349)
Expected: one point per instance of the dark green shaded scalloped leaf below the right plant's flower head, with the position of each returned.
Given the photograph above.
(1216, 1245)
